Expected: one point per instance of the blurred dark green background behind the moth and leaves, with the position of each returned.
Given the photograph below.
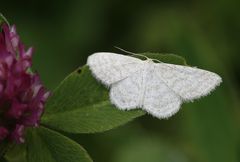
(205, 32)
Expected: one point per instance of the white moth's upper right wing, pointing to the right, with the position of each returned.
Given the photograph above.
(188, 82)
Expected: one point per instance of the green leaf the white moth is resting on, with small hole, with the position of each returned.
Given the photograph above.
(81, 105)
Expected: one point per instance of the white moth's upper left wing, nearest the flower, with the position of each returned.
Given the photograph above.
(110, 68)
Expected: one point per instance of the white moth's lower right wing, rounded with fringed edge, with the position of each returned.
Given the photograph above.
(160, 100)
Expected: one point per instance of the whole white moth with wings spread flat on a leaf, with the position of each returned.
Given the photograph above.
(158, 88)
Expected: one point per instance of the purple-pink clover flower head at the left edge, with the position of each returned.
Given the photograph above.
(22, 96)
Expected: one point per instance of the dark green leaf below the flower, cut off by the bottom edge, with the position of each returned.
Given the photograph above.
(45, 145)
